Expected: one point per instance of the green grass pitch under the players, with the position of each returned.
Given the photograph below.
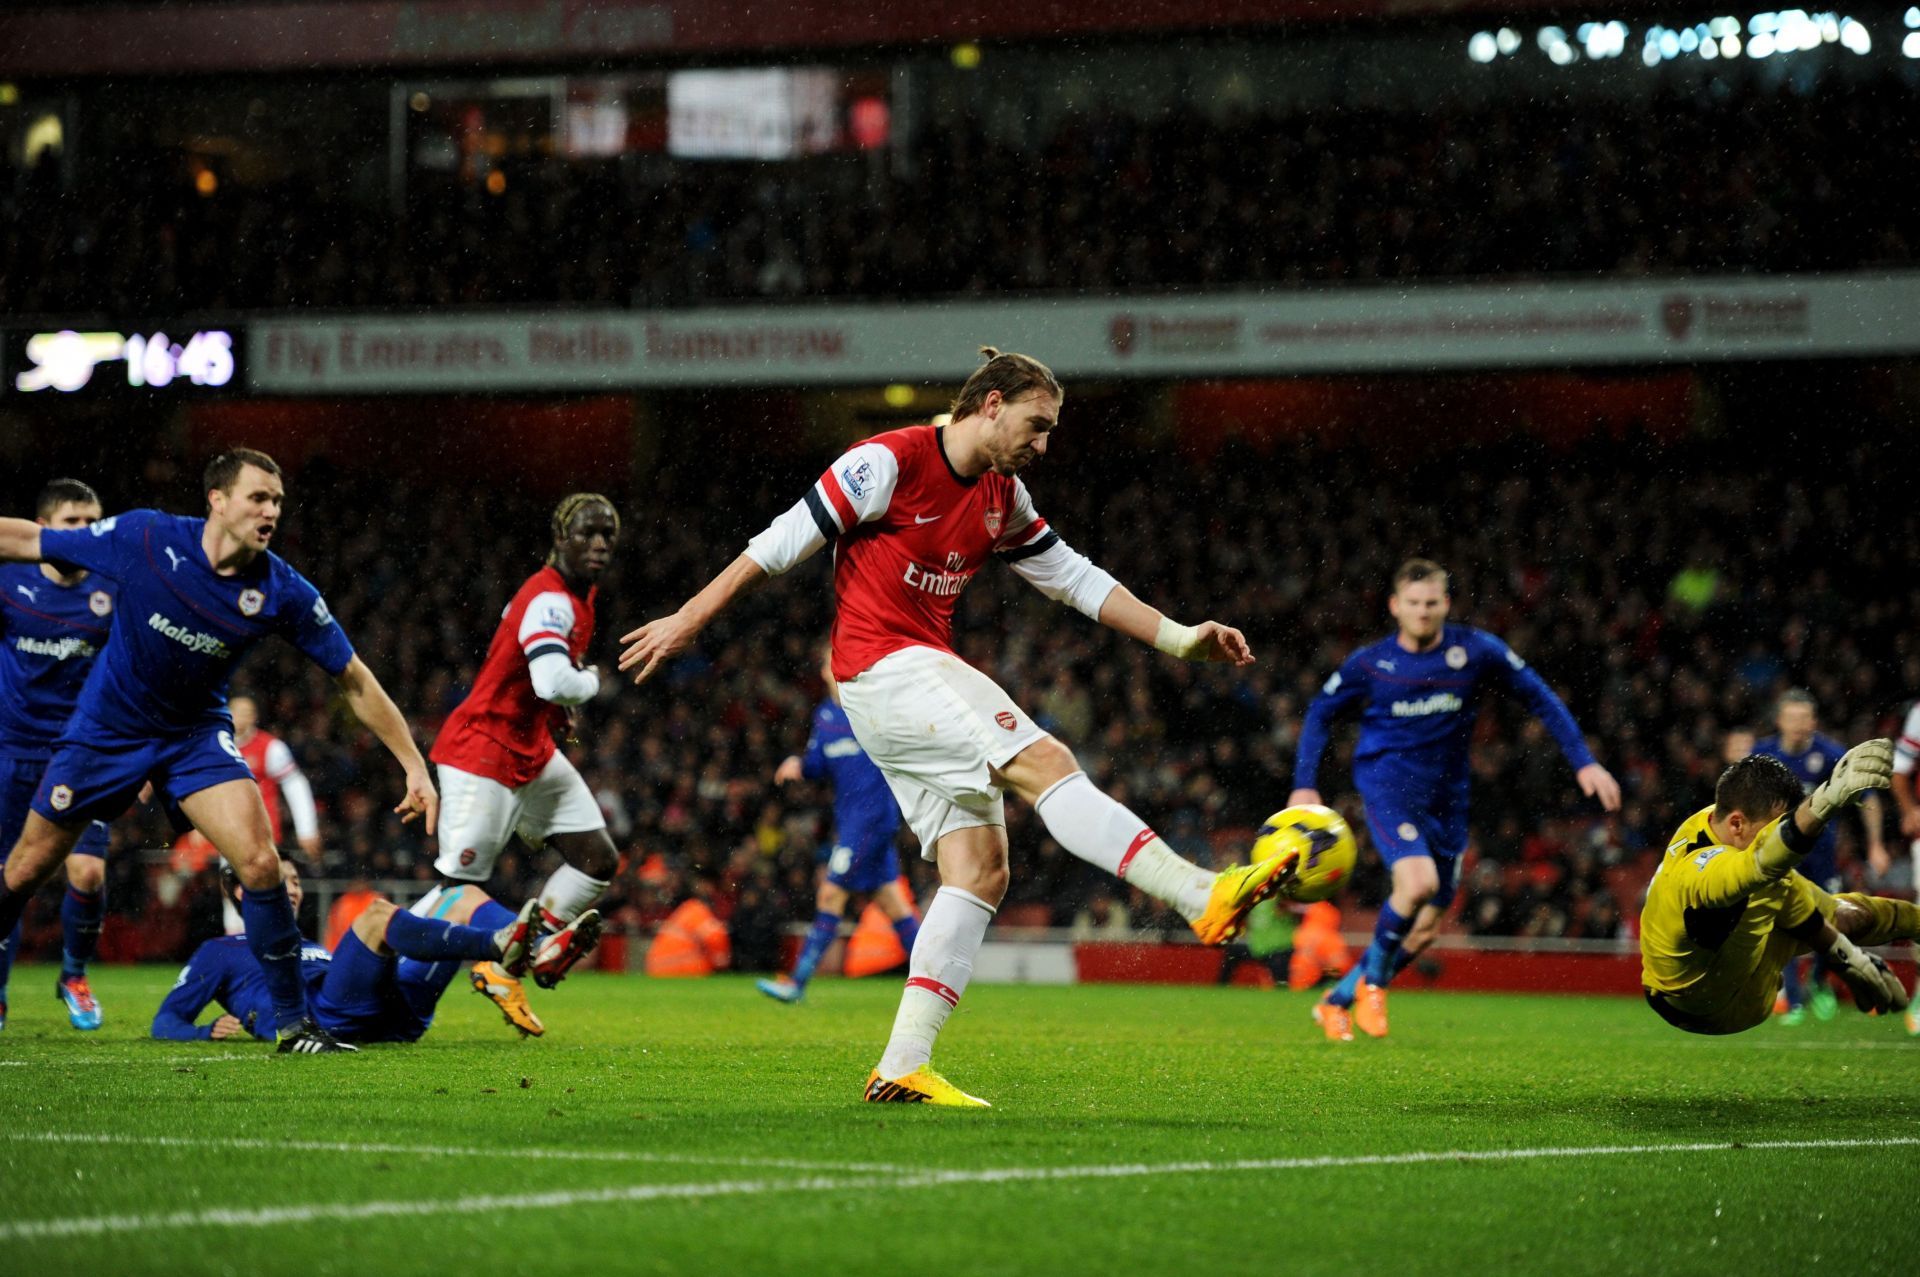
(654, 1074)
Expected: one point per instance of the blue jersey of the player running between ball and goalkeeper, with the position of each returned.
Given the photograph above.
(1418, 710)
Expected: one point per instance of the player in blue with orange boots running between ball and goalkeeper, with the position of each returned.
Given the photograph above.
(1420, 694)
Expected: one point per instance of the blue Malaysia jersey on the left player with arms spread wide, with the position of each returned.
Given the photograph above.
(180, 627)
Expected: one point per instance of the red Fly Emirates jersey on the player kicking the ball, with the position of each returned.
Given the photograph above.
(909, 537)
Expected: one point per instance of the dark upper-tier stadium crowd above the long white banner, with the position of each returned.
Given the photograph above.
(1719, 178)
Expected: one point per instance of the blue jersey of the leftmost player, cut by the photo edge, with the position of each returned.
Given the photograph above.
(49, 640)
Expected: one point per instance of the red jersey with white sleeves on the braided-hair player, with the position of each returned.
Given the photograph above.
(502, 731)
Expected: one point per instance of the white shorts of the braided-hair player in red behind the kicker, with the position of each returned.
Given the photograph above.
(479, 815)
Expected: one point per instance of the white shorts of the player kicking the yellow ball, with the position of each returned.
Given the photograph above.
(934, 725)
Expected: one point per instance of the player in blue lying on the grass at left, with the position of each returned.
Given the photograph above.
(375, 988)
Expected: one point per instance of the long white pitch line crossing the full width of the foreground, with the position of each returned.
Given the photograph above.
(272, 1217)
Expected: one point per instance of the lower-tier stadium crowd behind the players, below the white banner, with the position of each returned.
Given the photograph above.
(1669, 590)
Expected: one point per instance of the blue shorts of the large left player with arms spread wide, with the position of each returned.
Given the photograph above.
(99, 781)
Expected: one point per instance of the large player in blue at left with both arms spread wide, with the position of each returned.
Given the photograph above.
(195, 596)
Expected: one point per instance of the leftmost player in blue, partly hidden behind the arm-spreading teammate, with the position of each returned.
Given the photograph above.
(53, 625)
